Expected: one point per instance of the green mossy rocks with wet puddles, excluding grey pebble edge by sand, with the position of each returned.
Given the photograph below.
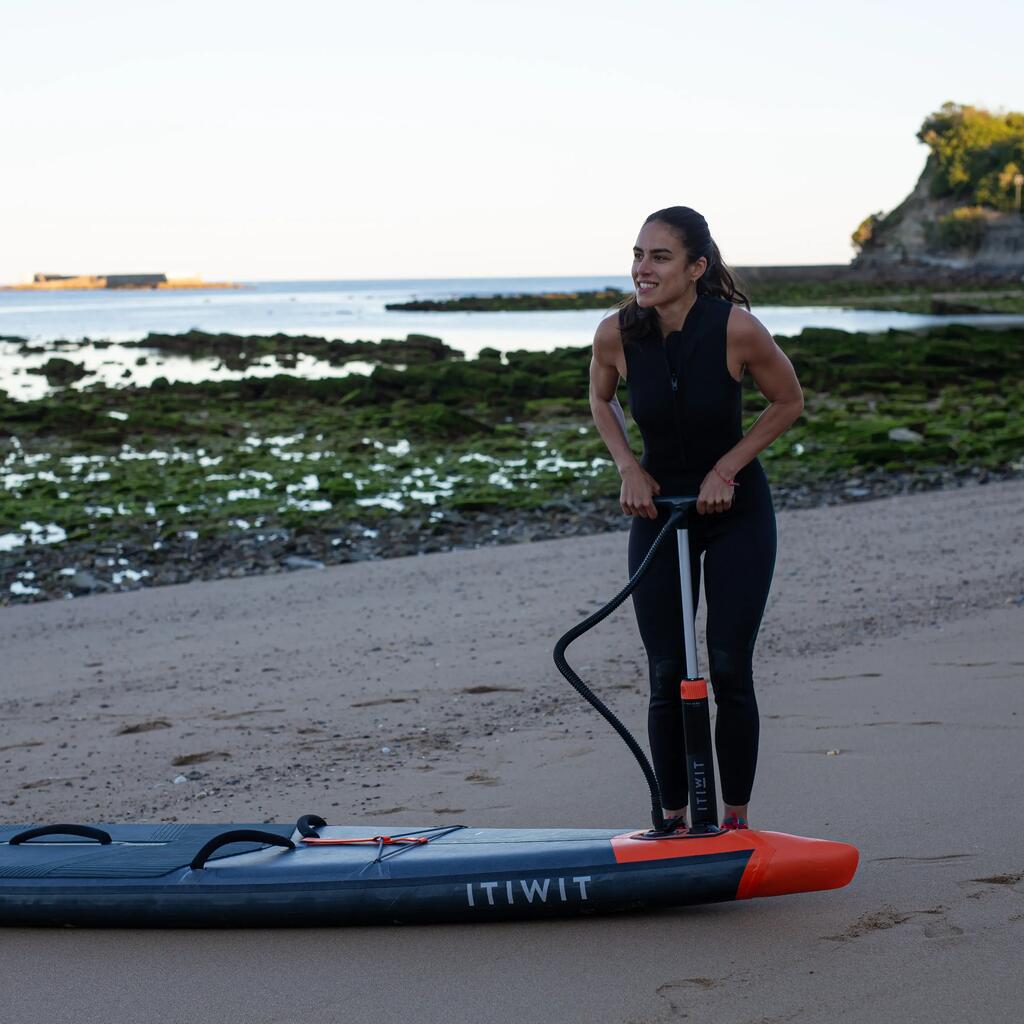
(455, 435)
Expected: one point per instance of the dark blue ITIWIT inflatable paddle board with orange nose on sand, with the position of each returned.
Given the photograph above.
(143, 876)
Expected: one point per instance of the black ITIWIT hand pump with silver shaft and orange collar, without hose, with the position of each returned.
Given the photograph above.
(693, 689)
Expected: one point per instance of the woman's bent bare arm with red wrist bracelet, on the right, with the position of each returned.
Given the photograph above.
(751, 348)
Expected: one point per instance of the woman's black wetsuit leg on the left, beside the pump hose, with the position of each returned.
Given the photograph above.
(660, 617)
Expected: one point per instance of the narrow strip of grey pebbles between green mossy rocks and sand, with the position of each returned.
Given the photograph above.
(41, 573)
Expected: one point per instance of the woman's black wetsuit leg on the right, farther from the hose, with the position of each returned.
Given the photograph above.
(740, 560)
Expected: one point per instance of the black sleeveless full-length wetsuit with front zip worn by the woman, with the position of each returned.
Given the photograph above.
(689, 409)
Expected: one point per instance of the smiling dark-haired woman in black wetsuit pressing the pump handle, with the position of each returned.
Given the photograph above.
(684, 344)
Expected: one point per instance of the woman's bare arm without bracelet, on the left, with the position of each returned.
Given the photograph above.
(607, 367)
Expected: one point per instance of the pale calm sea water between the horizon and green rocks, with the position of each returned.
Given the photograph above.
(347, 311)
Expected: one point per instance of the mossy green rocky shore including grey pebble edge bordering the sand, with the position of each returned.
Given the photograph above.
(116, 489)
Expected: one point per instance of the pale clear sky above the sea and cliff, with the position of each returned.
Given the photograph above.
(254, 141)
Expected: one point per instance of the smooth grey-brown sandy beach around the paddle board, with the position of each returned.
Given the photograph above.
(421, 691)
